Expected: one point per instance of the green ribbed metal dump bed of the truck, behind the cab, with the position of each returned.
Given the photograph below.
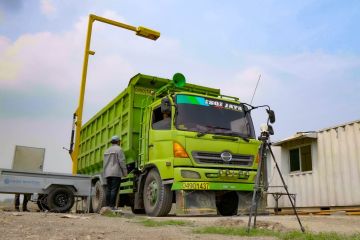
(123, 117)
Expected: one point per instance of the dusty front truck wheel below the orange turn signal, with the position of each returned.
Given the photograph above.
(157, 196)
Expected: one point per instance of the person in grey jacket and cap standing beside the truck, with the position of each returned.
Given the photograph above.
(114, 169)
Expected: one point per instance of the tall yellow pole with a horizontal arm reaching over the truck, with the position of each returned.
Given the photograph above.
(77, 121)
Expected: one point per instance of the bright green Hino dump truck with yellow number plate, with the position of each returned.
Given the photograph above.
(184, 143)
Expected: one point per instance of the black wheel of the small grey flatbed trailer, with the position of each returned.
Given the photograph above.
(61, 199)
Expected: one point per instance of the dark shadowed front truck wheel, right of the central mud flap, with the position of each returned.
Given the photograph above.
(227, 204)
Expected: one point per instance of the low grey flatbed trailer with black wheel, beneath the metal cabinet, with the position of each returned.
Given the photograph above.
(55, 192)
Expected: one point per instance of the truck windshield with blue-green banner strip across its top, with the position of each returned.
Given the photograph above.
(206, 115)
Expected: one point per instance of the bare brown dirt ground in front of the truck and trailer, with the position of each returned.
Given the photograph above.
(40, 225)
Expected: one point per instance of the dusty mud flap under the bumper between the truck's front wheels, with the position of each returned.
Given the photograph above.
(195, 203)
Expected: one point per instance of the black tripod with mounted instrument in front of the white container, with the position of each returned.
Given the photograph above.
(266, 145)
